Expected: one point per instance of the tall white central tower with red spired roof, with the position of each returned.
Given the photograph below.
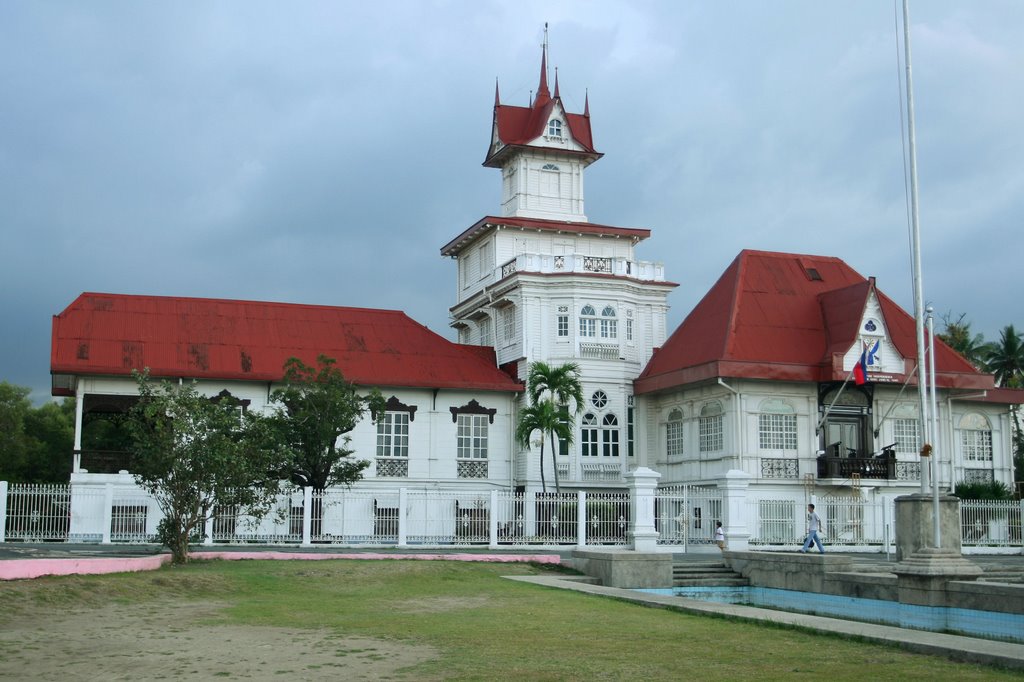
(542, 283)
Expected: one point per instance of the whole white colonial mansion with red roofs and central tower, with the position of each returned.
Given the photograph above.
(756, 386)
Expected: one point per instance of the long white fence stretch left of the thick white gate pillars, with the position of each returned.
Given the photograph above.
(345, 518)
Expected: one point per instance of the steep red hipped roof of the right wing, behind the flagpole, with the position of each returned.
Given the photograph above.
(786, 317)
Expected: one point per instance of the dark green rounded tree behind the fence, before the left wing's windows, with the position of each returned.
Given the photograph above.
(318, 408)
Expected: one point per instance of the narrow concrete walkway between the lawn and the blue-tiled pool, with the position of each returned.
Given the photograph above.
(968, 650)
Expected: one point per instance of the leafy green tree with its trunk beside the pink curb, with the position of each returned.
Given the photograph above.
(193, 453)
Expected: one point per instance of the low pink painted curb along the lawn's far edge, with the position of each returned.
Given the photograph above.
(28, 569)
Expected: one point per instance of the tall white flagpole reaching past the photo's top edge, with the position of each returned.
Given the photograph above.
(919, 294)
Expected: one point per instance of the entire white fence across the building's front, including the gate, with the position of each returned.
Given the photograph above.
(684, 517)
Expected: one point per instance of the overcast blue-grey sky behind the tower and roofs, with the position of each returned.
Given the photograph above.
(324, 152)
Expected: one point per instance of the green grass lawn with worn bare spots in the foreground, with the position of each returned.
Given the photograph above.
(455, 621)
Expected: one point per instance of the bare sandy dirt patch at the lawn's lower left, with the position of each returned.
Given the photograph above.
(176, 642)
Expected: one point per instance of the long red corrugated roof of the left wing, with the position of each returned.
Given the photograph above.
(113, 334)
